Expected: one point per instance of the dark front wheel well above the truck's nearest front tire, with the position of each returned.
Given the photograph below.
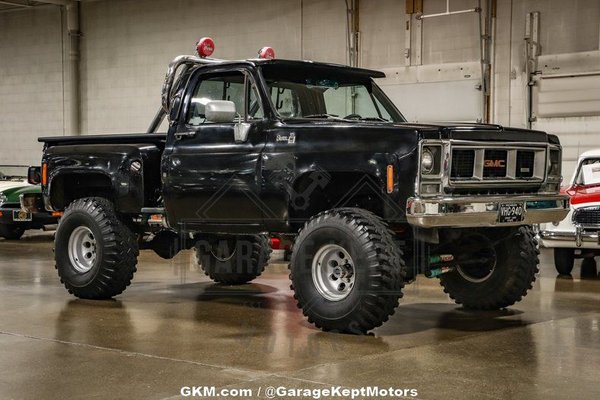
(315, 192)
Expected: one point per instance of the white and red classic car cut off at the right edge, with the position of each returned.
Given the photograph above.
(577, 236)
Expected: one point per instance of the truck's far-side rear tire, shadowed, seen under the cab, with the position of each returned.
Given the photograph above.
(233, 260)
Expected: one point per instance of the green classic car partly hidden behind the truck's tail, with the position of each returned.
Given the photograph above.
(13, 220)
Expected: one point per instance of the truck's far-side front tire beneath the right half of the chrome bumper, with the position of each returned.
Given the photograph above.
(501, 282)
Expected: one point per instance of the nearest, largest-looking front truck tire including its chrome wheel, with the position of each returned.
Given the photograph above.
(346, 271)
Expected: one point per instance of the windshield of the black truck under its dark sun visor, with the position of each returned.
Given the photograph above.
(311, 93)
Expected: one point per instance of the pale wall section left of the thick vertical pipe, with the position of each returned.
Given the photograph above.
(31, 94)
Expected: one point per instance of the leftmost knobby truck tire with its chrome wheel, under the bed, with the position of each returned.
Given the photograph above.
(95, 253)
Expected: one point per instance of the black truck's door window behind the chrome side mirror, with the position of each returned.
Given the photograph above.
(222, 87)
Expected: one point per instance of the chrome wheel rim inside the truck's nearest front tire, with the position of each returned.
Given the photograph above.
(333, 272)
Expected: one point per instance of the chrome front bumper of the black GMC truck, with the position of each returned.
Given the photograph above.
(482, 211)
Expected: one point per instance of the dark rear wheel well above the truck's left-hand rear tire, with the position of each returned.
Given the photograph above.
(66, 188)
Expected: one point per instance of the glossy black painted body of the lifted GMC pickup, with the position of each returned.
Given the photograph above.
(284, 173)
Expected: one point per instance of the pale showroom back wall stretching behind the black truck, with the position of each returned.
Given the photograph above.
(127, 44)
